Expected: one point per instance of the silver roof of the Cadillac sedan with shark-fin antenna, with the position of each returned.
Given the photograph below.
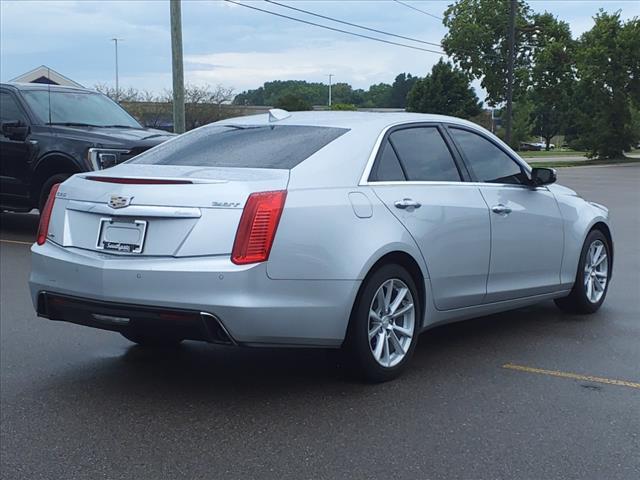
(376, 121)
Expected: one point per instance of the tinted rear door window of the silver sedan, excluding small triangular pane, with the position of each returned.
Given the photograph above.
(424, 155)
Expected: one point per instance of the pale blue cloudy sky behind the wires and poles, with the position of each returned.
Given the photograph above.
(231, 45)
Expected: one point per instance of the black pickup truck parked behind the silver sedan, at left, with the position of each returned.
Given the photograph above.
(48, 133)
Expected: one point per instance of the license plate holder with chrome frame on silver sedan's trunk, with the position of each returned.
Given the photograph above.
(121, 235)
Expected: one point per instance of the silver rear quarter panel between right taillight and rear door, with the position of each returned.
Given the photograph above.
(320, 236)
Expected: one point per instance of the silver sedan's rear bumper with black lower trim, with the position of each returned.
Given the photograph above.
(249, 306)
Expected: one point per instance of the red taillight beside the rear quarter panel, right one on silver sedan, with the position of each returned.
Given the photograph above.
(258, 226)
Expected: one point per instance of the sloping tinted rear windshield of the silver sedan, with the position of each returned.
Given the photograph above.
(272, 146)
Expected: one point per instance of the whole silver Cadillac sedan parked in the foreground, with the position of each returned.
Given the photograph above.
(324, 229)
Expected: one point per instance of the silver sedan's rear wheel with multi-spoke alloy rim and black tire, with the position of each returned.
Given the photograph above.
(381, 358)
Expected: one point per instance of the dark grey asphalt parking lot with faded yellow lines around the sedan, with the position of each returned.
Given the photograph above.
(80, 403)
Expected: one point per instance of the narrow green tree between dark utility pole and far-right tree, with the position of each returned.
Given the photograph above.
(552, 77)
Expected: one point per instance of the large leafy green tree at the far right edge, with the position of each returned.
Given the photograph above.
(608, 64)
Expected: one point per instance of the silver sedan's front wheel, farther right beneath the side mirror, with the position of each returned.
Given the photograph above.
(585, 299)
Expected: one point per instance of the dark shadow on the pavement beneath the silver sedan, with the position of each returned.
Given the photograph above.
(218, 374)
